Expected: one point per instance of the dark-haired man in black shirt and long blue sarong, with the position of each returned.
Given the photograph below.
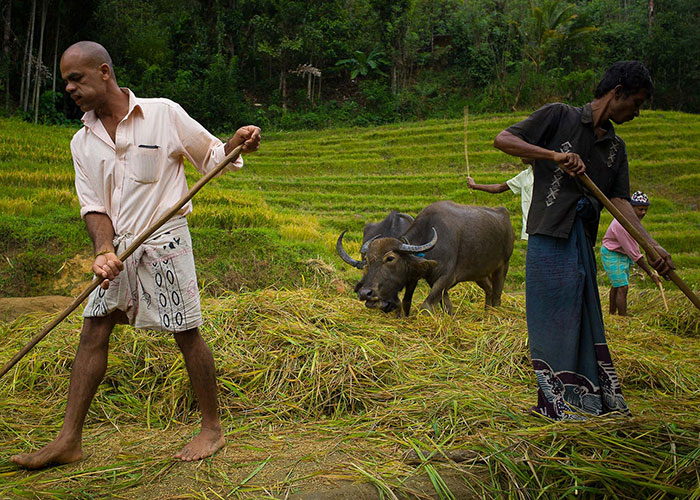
(569, 353)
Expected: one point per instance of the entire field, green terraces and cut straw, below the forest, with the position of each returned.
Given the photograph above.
(321, 397)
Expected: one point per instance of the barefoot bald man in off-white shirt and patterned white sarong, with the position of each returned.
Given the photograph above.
(129, 171)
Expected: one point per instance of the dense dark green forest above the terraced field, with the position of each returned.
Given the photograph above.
(290, 64)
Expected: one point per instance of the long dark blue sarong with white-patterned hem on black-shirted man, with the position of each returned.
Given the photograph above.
(572, 363)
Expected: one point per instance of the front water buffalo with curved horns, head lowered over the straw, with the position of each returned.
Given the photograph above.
(455, 243)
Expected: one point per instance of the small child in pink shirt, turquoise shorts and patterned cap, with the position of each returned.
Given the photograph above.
(619, 251)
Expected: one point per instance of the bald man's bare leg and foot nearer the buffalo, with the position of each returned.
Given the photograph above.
(200, 367)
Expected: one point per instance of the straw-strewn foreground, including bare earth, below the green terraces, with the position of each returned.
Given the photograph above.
(320, 394)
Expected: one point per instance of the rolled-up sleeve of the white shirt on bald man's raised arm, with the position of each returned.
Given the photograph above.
(200, 147)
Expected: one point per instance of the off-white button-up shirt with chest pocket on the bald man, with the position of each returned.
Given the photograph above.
(140, 175)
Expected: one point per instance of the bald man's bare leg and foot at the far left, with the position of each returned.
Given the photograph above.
(88, 370)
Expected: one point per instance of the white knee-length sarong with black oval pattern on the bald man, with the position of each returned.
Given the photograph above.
(158, 287)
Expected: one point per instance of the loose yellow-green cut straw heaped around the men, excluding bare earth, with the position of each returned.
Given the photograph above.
(433, 387)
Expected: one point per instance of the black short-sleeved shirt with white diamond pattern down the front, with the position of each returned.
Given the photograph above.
(563, 128)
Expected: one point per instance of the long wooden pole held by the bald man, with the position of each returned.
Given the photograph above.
(137, 243)
